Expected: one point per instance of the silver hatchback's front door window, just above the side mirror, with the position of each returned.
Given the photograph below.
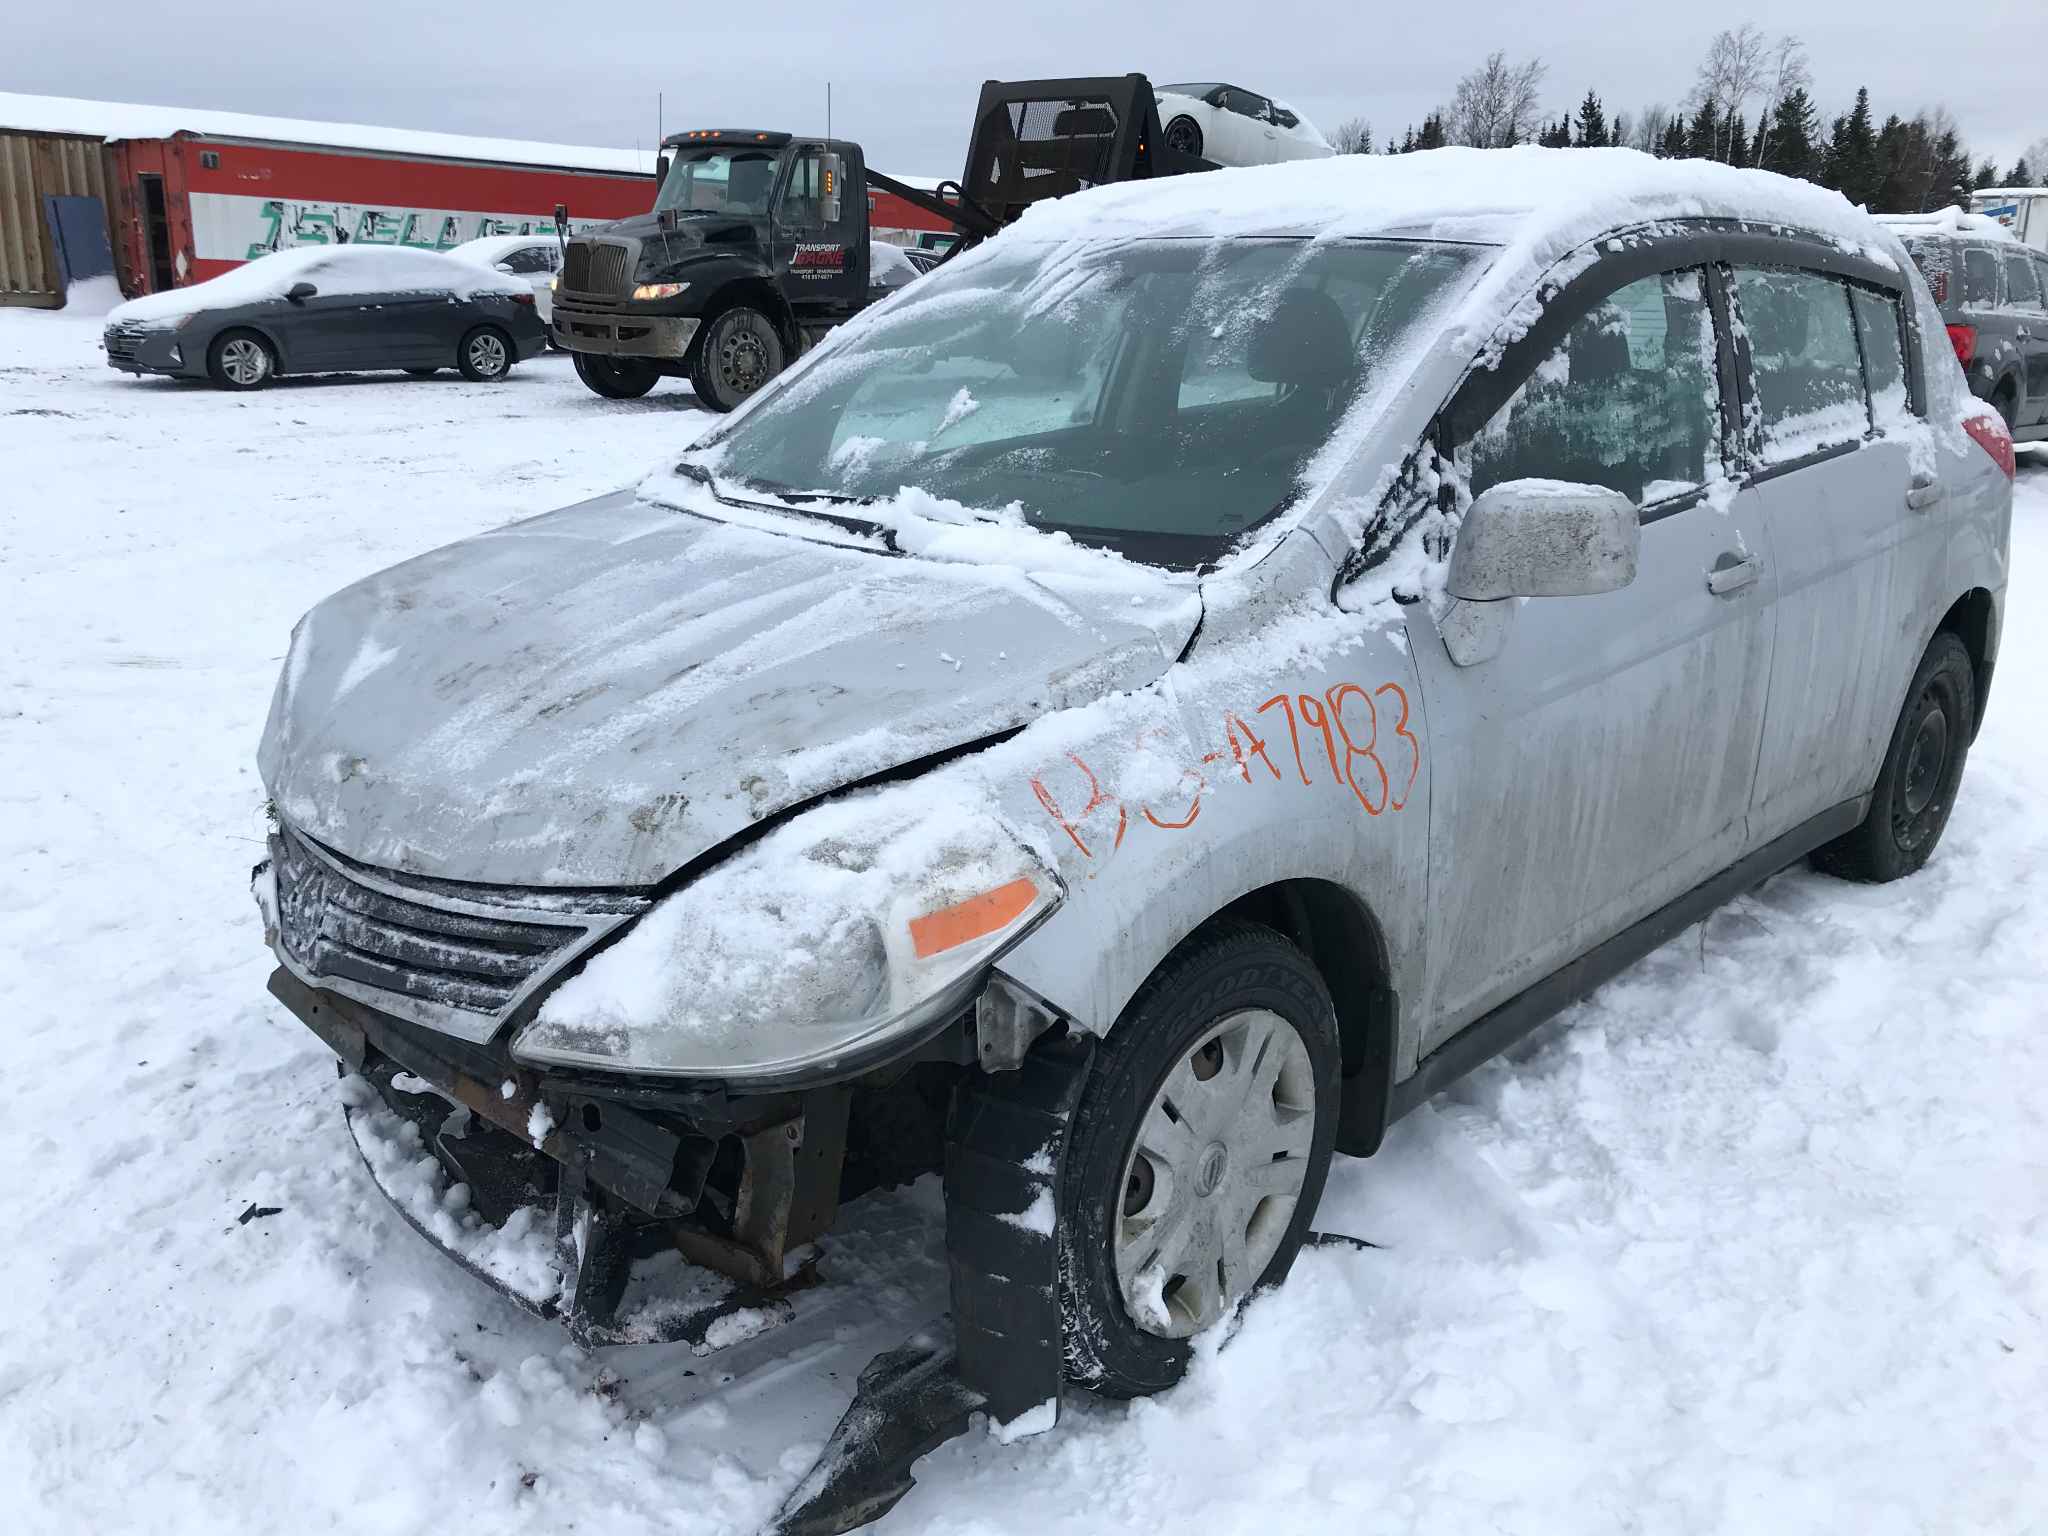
(1629, 400)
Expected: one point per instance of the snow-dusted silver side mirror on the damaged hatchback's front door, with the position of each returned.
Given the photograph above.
(1545, 540)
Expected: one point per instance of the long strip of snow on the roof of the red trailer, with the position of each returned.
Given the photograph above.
(112, 120)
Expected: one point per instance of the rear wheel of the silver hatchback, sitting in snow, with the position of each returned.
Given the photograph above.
(1920, 777)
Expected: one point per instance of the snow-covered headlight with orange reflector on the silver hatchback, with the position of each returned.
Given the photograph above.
(824, 943)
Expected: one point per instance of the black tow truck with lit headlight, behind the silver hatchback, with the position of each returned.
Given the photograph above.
(759, 241)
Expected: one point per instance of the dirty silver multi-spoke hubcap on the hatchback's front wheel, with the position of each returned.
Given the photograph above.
(1215, 1175)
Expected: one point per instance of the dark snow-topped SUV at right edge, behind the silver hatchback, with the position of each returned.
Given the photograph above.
(1994, 296)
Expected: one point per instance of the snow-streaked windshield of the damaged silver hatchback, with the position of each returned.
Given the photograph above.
(1158, 398)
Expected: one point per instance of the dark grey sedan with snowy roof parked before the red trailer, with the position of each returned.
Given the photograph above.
(331, 310)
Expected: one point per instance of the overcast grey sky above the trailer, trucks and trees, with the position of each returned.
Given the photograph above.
(906, 73)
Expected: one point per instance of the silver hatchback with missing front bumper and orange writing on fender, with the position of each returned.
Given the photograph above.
(1127, 720)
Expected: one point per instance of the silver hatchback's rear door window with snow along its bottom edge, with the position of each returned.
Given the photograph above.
(1805, 361)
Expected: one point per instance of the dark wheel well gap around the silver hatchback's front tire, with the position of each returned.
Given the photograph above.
(1345, 941)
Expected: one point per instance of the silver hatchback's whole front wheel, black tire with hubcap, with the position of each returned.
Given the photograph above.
(1199, 1154)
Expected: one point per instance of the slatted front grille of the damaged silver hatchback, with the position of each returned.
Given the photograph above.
(409, 939)
